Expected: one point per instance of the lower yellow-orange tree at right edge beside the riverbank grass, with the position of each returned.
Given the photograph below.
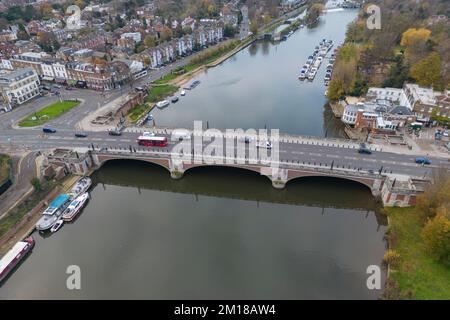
(436, 236)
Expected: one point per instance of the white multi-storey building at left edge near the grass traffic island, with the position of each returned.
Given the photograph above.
(19, 86)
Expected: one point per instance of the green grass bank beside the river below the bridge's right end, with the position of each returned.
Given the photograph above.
(418, 272)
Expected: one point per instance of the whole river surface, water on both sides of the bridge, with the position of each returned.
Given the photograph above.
(220, 232)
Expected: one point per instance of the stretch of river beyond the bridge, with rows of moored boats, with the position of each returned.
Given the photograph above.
(259, 87)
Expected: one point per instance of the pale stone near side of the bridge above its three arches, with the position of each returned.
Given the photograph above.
(280, 172)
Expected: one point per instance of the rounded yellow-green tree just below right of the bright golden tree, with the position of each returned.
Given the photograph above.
(427, 72)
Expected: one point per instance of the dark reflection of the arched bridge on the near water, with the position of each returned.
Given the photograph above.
(242, 184)
